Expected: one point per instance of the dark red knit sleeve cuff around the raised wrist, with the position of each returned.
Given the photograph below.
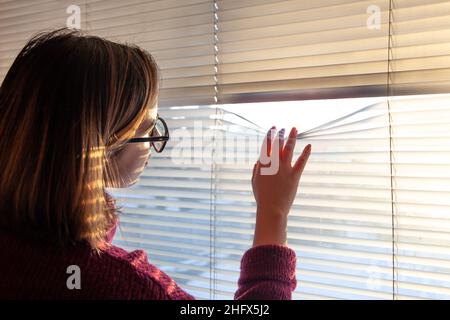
(267, 273)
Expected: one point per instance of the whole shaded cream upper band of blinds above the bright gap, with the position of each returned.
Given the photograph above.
(265, 49)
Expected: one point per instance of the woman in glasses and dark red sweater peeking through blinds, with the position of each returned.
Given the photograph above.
(69, 104)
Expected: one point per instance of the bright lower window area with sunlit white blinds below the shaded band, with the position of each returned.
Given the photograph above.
(370, 220)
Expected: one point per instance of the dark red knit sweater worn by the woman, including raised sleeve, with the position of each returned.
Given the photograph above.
(32, 270)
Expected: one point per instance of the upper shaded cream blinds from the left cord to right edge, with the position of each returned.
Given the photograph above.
(292, 50)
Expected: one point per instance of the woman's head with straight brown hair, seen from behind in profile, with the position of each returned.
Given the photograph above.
(68, 105)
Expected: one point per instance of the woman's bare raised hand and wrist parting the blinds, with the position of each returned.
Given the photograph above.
(275, 190)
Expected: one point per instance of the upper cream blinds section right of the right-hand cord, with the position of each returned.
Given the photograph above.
(420, 47)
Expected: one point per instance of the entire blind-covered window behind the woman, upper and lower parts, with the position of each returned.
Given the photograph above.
(365, 82)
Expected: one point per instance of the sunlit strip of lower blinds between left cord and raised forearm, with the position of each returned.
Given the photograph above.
(237, 144)
